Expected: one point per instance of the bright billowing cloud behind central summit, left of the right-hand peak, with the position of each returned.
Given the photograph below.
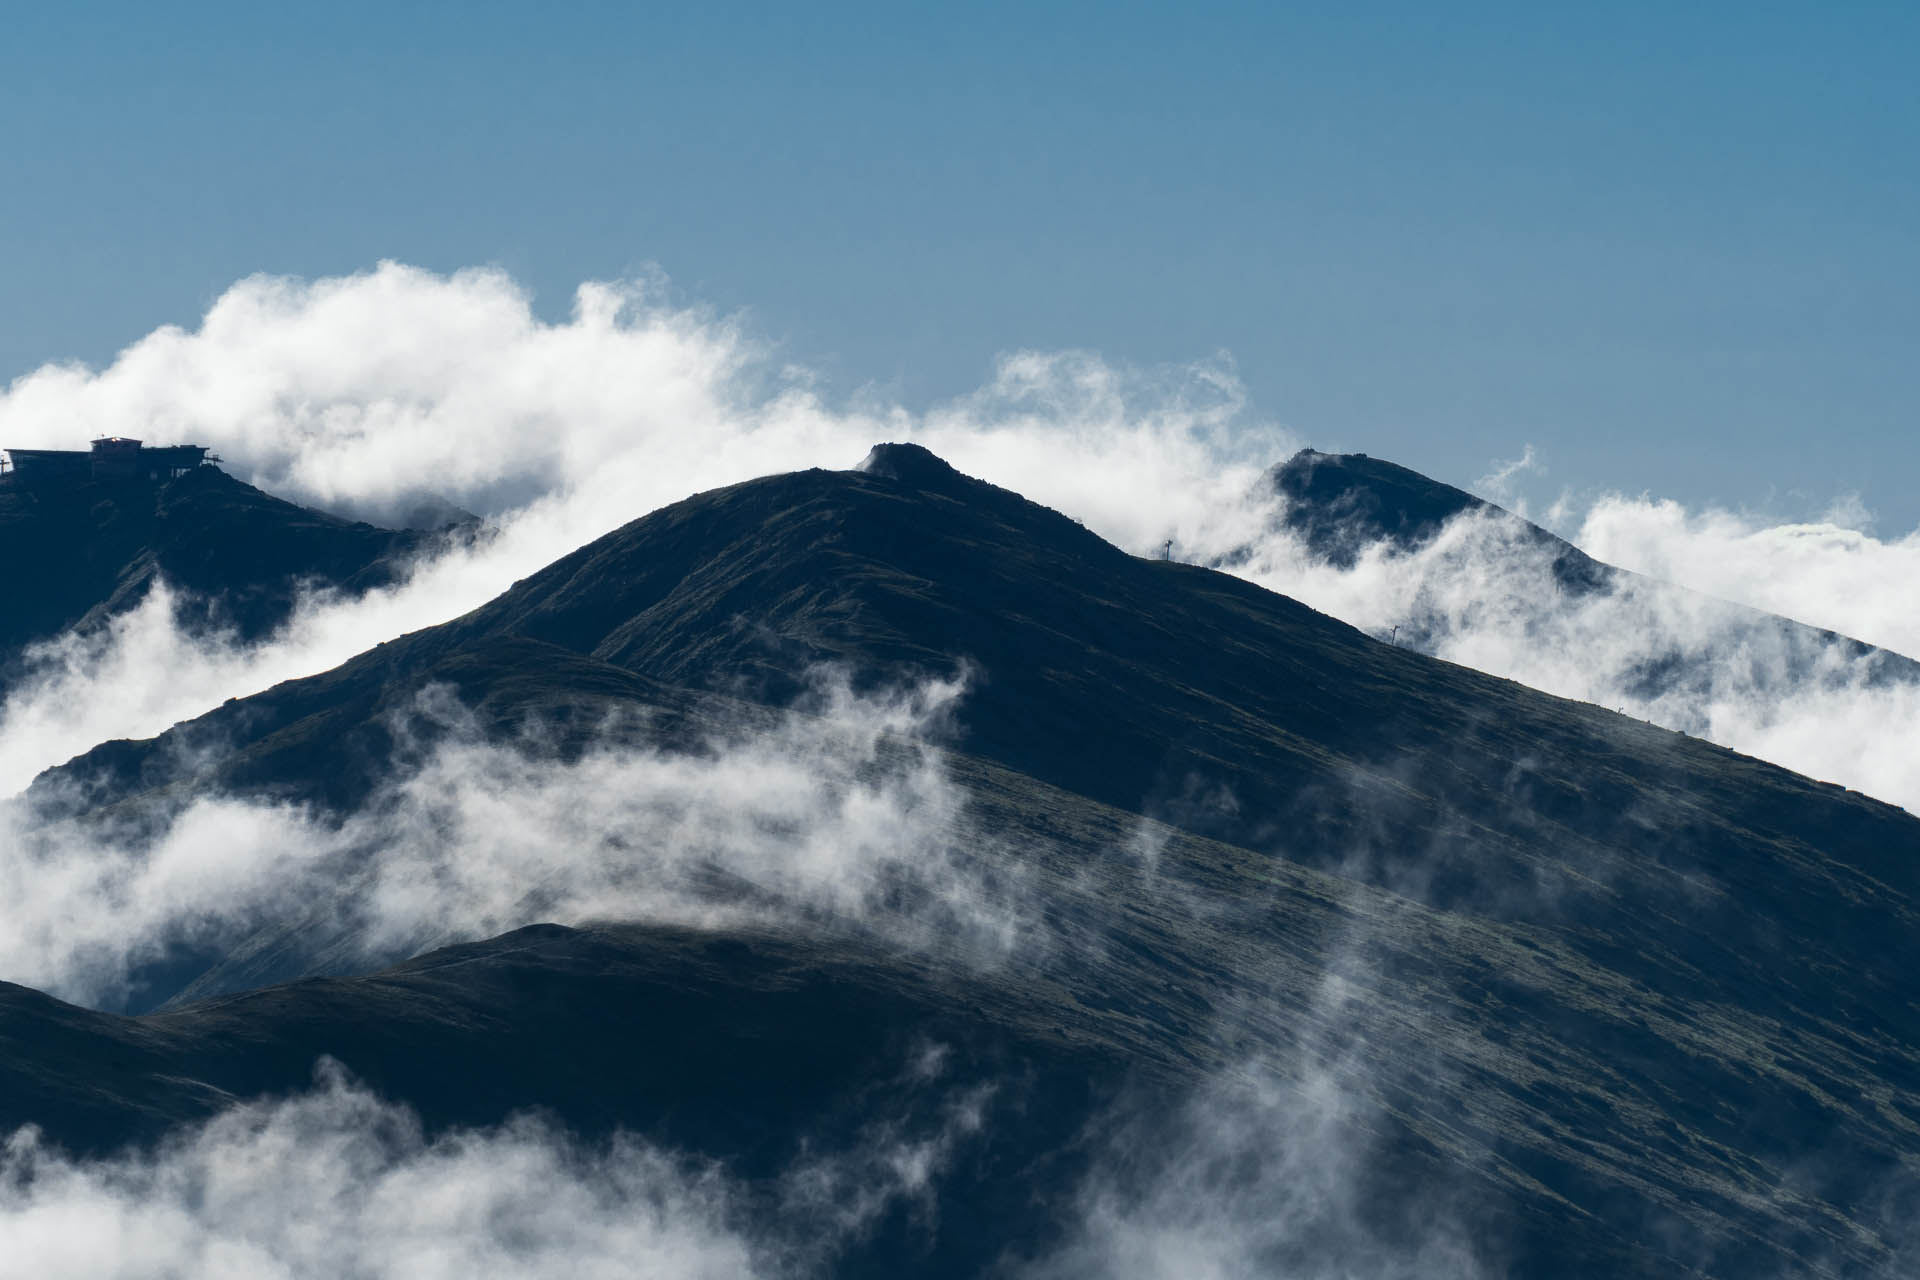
(368, 392)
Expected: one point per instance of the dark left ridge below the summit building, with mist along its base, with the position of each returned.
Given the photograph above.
(135, 605)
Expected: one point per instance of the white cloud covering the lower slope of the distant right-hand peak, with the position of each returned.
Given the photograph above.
(1483, 594)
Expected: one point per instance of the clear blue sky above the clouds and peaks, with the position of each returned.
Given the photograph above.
(1669, 245)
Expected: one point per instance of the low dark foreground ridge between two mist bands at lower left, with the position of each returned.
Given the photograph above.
(754, 1051)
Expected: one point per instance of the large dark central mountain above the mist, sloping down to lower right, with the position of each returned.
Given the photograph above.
(1639, 984)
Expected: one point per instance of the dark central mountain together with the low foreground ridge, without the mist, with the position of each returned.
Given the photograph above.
(1593, 997)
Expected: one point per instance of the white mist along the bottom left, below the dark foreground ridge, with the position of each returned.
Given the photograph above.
(339, 1183)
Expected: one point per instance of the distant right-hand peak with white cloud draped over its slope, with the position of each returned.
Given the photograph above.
(1441, 571)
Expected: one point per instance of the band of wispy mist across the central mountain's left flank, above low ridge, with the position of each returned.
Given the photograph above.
(840, 813)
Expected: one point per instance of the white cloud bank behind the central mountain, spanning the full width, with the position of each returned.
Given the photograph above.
(366, 392)
